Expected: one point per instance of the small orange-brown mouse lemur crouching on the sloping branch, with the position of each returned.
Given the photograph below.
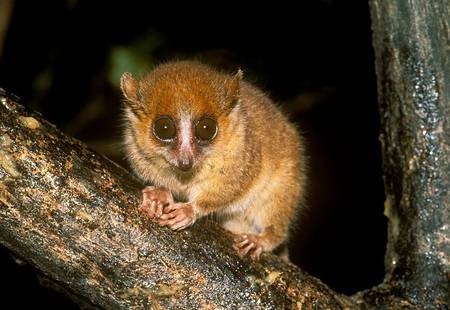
(213, 144)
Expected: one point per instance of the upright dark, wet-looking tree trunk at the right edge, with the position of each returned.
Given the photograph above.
(411, 41)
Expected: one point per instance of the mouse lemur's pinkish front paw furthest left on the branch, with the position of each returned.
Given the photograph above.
(154, 200)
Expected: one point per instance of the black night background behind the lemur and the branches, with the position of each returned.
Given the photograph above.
(64, 59)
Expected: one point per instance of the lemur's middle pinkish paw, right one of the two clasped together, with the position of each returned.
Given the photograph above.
(178, 216)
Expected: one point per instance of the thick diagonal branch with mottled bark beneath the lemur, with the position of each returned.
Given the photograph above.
(73, 215)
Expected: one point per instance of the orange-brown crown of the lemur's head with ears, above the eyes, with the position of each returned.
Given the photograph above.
(185, 84)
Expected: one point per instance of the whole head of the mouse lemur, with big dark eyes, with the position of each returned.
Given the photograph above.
(179, 112)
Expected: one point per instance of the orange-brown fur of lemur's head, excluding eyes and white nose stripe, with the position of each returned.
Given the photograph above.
(180, 90)
